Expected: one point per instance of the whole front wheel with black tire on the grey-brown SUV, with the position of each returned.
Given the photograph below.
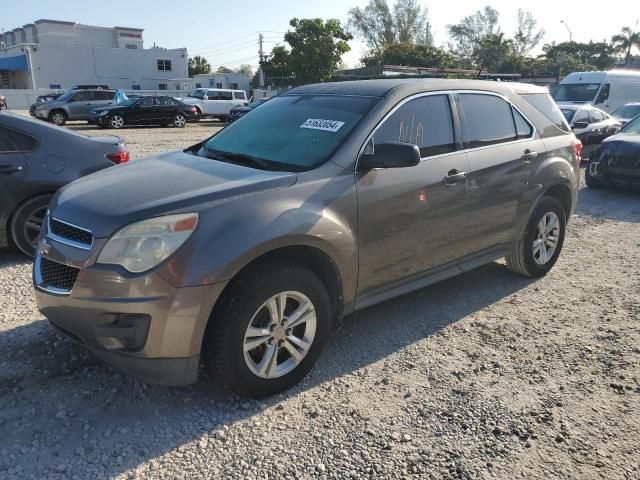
(244, 304)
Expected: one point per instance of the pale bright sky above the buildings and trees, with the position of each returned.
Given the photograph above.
(226, 33)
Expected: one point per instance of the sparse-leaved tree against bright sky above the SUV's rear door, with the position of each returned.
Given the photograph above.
(467, 35)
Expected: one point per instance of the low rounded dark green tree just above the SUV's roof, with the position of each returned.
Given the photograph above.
(411, 54)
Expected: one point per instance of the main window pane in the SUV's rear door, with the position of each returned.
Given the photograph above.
(487, 120)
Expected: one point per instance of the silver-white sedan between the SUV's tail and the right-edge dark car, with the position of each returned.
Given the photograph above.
(591, 125)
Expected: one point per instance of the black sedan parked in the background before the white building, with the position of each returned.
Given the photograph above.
(144, 111)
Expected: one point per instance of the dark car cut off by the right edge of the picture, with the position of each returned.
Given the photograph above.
(617, 160)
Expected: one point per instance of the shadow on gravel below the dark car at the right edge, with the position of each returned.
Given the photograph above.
(611, 203)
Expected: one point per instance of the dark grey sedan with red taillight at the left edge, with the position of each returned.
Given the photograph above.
(36, 159)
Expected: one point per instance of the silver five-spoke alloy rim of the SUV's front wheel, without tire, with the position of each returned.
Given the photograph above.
(280, 334)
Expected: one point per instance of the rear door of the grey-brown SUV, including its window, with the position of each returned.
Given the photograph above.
(502, 148)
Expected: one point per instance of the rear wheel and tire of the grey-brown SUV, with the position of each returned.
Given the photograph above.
(525, 260)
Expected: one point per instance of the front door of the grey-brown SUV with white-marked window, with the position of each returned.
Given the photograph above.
(411, 220)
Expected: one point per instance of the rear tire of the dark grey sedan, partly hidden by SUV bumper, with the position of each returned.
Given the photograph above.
(25, 223)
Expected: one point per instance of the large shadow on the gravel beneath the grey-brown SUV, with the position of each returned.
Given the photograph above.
(62, 411)
